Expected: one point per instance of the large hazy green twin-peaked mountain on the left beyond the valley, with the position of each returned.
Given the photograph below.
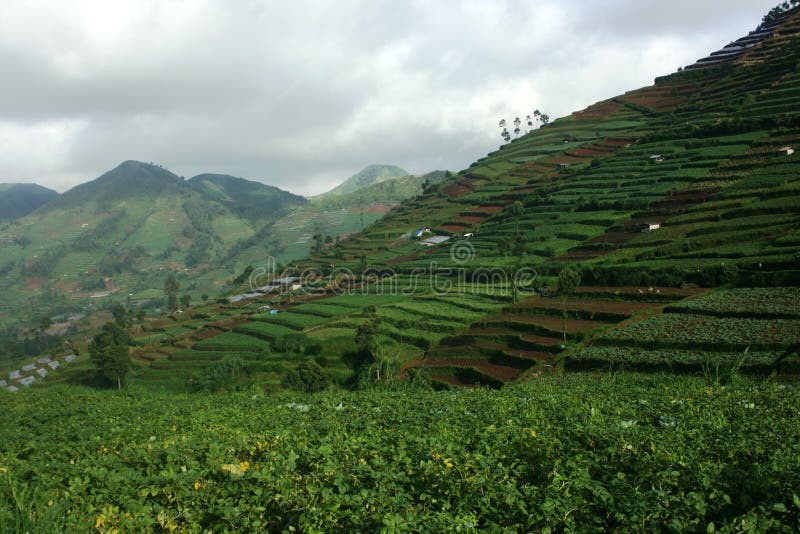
(124, 230)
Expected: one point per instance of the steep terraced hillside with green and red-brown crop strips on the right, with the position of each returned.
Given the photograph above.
(657, 199)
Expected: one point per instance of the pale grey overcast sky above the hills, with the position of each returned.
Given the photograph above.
(303, 94)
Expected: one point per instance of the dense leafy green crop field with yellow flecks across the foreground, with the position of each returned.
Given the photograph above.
(580, 452)
